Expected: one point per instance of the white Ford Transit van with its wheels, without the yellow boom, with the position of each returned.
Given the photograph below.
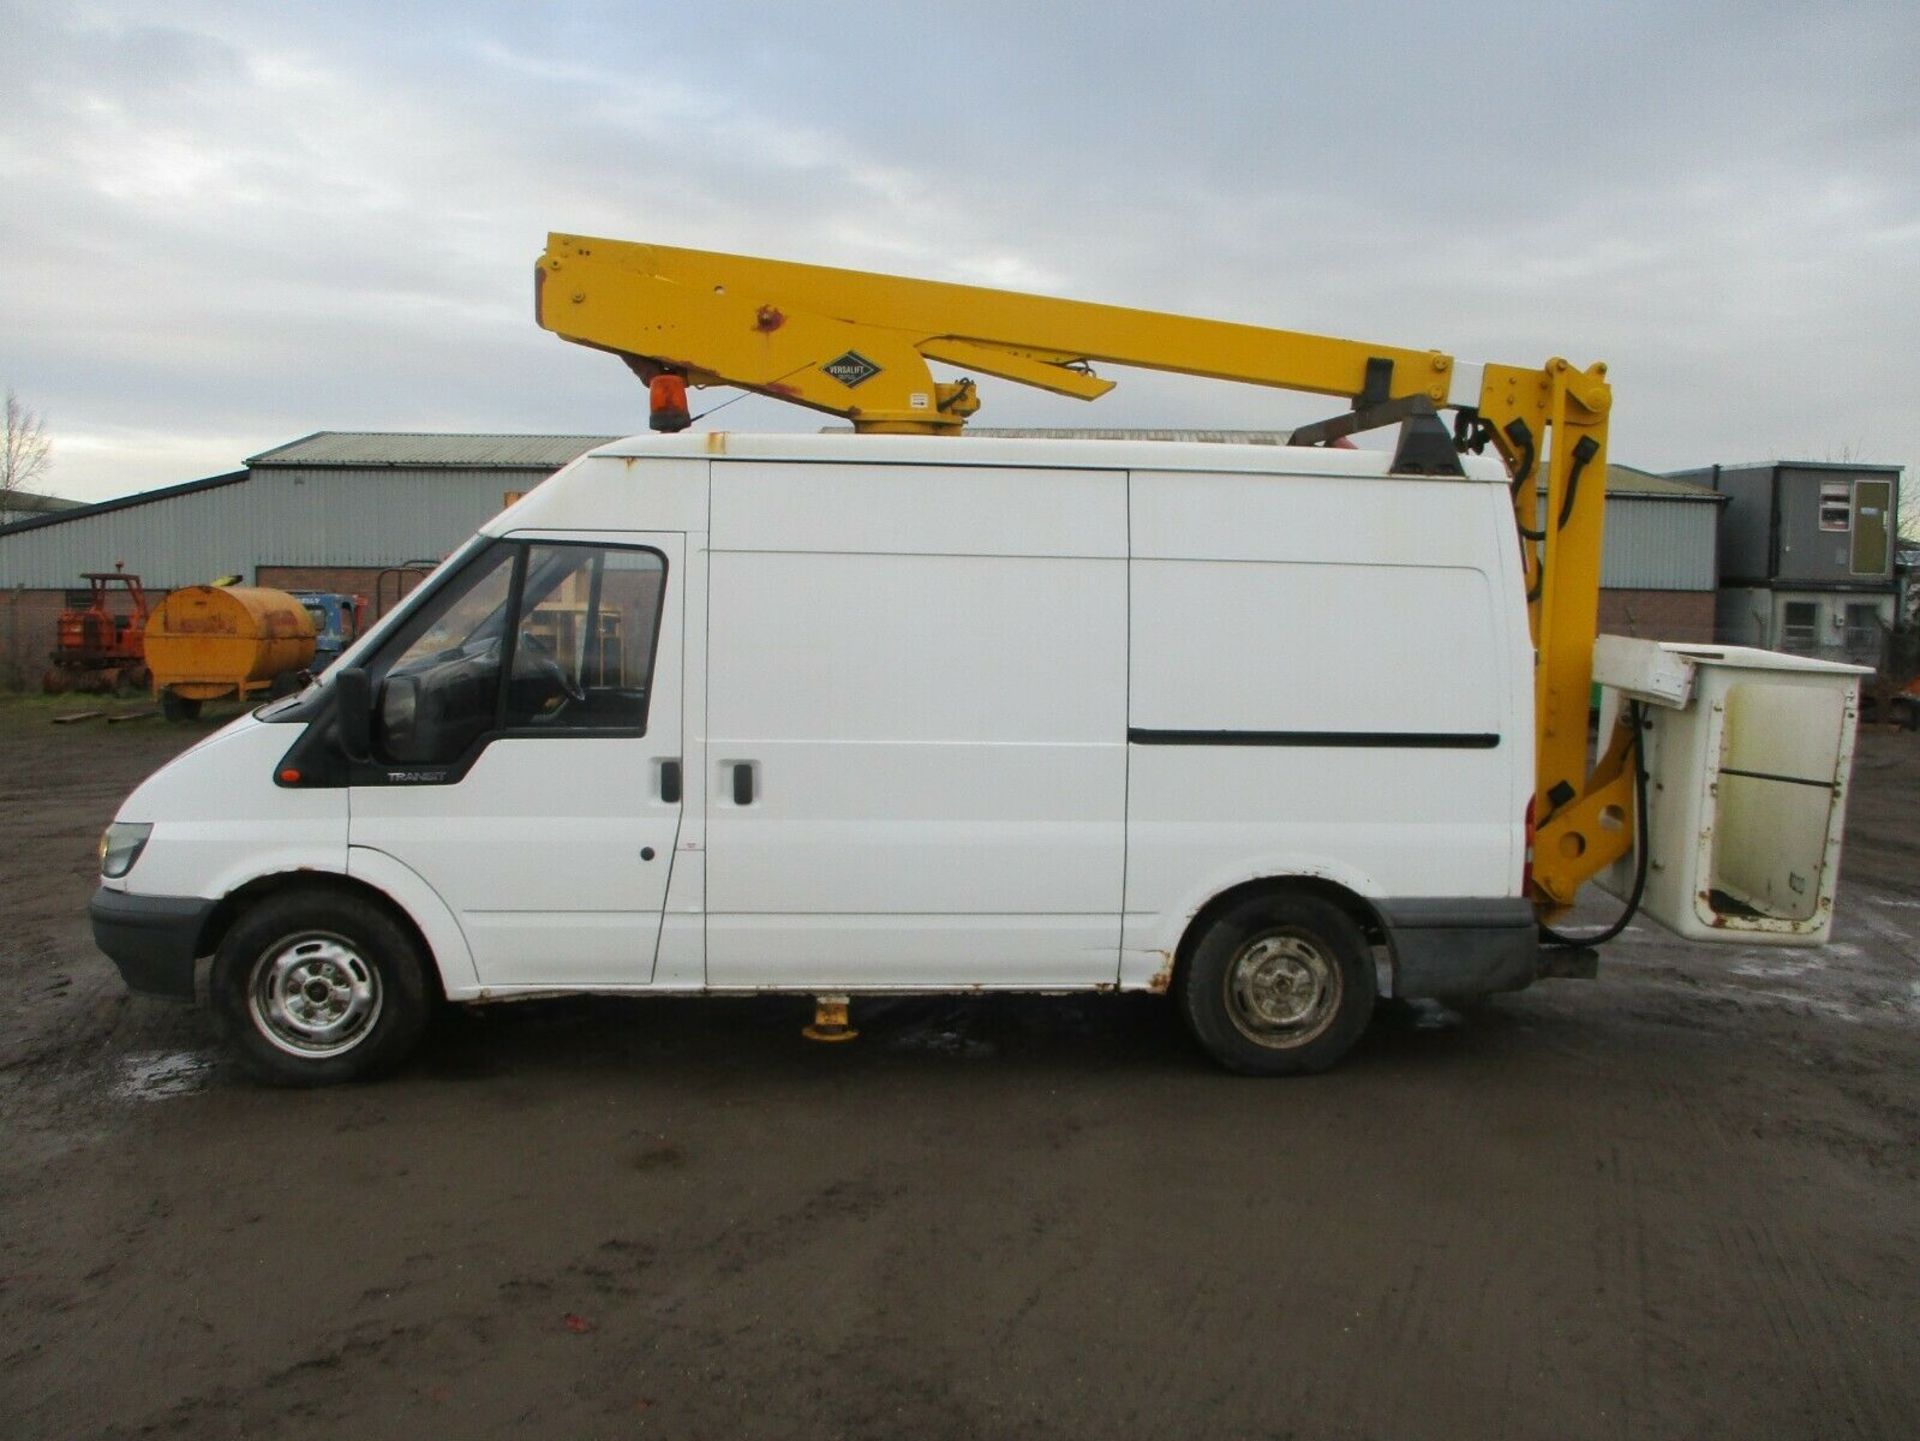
(842, 715)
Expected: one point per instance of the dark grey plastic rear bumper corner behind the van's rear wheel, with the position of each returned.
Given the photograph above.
(1449, 947)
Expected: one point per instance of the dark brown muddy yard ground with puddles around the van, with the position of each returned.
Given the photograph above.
(1681, 1202)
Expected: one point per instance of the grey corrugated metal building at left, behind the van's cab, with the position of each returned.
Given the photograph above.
(331, 511)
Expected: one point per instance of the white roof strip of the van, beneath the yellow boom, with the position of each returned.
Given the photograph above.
(1030, 454)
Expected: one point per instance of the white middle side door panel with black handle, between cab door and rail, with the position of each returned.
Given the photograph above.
(926, 673)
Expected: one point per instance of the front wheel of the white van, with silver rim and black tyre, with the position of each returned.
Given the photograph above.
(318, 987)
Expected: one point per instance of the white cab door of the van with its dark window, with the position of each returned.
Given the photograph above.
(527, 732)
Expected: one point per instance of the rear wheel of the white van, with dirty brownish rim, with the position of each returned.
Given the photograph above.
(1278, 985)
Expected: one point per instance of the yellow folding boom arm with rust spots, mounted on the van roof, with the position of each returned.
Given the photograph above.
(857, 346)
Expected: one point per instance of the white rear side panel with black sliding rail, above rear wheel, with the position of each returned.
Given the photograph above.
(1368, 644)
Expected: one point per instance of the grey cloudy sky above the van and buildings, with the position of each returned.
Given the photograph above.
(228, 225)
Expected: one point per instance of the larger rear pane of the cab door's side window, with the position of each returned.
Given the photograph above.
(585, 646)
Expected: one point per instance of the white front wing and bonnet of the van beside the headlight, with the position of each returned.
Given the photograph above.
(220, 820)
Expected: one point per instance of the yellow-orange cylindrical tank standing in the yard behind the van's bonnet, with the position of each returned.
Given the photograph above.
(214, 642)
